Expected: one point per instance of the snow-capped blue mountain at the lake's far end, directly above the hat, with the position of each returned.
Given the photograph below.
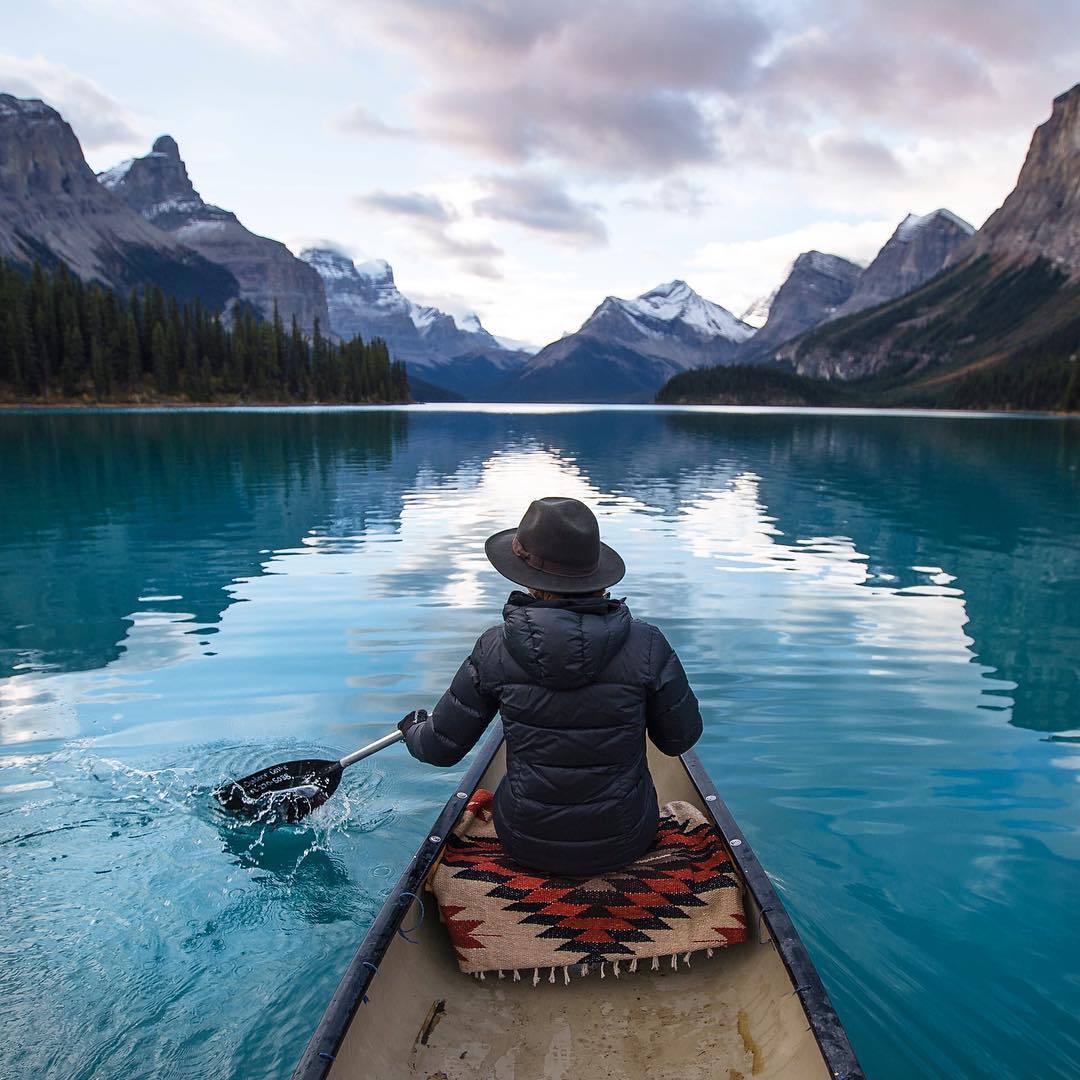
(628, 349)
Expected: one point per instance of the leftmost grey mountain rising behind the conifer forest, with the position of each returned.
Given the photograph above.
(53, 210)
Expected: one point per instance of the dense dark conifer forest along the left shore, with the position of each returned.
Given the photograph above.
(62, 339)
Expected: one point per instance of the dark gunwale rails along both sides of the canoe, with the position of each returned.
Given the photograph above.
(327, 1041)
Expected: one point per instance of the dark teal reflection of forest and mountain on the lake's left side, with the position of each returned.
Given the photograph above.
(130, 506)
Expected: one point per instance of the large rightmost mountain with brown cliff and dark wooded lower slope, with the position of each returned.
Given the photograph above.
(1000, 325)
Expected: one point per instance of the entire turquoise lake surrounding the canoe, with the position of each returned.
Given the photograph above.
(881, 615)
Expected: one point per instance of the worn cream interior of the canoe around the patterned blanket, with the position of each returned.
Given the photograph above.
(731, 1017)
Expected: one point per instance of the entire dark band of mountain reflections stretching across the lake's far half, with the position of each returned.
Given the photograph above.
(130, 506)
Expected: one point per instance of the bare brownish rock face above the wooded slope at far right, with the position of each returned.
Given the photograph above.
(1042, 215)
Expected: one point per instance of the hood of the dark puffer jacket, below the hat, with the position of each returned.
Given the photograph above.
(568, 643)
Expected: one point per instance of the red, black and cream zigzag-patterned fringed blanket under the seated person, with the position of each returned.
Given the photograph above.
(681, 897)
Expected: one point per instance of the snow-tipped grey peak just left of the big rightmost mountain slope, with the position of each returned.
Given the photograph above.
(919, 250)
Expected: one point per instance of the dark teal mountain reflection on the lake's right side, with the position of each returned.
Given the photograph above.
(966, 496)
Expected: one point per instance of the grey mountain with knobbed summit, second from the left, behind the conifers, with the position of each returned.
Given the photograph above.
(158, 187)
